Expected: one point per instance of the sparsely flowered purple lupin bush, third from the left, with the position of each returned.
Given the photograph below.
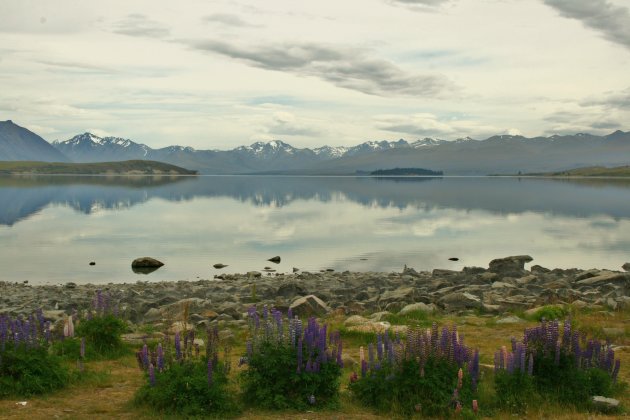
(183, 382)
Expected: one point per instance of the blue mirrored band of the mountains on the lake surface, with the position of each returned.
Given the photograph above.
(22, 196)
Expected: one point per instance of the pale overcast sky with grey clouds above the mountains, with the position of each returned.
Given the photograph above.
(217, 74)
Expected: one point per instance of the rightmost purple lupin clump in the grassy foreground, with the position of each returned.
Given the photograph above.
(559, 366)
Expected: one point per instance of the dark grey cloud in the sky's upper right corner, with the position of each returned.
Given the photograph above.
(612, 21)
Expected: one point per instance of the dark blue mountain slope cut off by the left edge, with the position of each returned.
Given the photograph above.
(18, 143)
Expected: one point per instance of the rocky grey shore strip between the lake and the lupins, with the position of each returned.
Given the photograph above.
(502, 287)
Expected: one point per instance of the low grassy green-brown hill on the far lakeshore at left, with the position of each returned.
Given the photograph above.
(130, 167)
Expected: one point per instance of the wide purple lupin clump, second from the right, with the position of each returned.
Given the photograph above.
(429, 372)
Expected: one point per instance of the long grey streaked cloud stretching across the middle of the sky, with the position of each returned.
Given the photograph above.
(344, 67)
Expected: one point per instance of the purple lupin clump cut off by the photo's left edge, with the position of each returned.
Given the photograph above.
(26, 367)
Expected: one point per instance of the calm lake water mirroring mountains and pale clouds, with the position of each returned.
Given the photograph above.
(52, 227)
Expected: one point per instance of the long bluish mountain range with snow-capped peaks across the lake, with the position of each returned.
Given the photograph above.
(501, 154)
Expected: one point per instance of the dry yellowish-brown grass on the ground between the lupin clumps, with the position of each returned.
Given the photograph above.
(108, 392)
